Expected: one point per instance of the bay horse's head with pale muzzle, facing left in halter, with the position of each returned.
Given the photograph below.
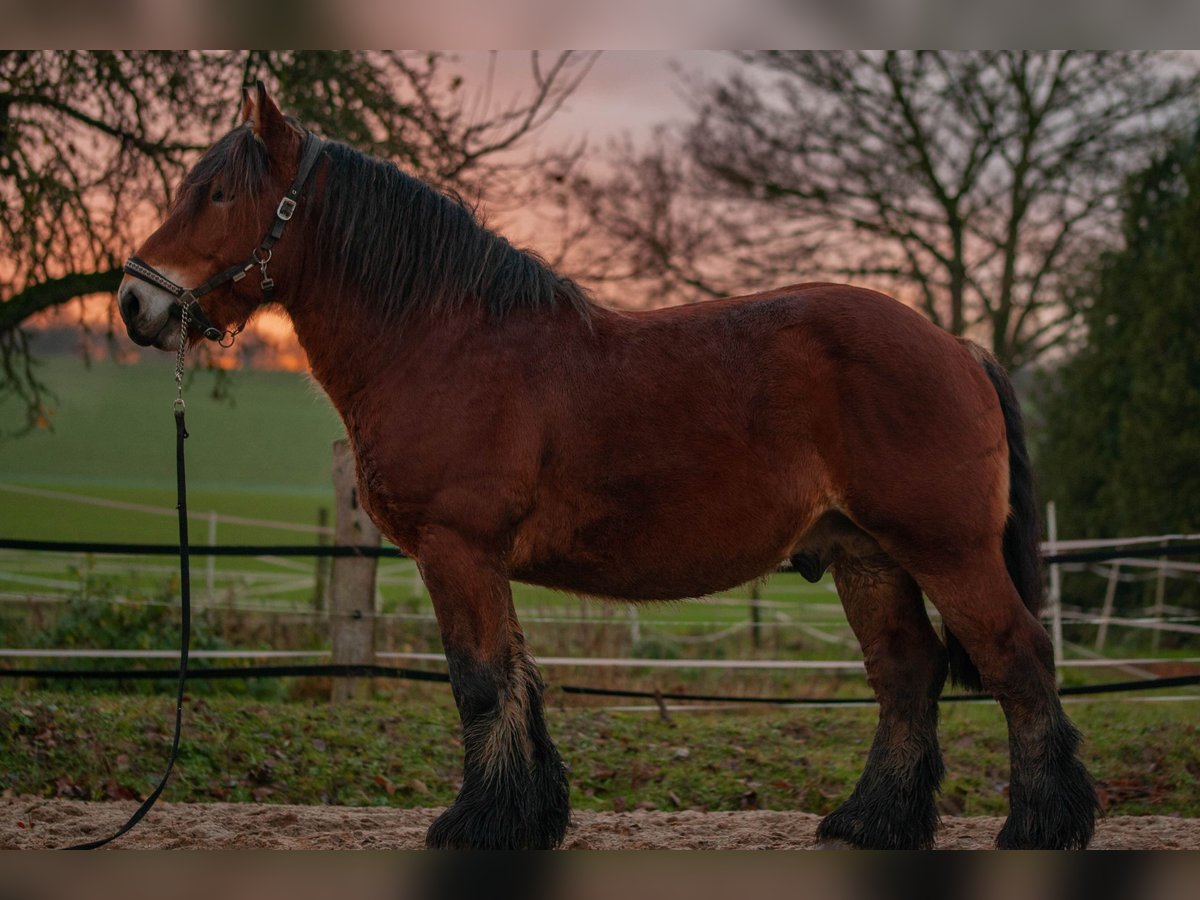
(220, 231)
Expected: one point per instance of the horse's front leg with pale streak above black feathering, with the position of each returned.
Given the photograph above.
(514, 791)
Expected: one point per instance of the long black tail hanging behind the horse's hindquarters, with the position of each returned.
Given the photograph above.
(1023, 535)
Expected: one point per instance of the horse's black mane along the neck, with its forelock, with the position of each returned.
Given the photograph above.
(404, 247)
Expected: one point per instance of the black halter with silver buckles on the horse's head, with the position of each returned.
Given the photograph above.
(189, 298)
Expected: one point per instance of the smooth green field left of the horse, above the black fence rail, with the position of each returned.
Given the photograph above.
(265, 454)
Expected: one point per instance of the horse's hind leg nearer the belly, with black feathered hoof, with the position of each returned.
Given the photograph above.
(893, 806)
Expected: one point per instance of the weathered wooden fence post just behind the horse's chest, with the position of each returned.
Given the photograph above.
(353, 580)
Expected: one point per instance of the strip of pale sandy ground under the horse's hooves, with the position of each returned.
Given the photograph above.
(38, 824)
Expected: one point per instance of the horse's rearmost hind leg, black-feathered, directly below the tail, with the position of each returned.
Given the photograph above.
(1052, 797)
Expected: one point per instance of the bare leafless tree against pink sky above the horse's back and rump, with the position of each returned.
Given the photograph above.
(975, 185)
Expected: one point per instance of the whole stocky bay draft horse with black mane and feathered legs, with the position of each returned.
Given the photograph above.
(508, 428)
